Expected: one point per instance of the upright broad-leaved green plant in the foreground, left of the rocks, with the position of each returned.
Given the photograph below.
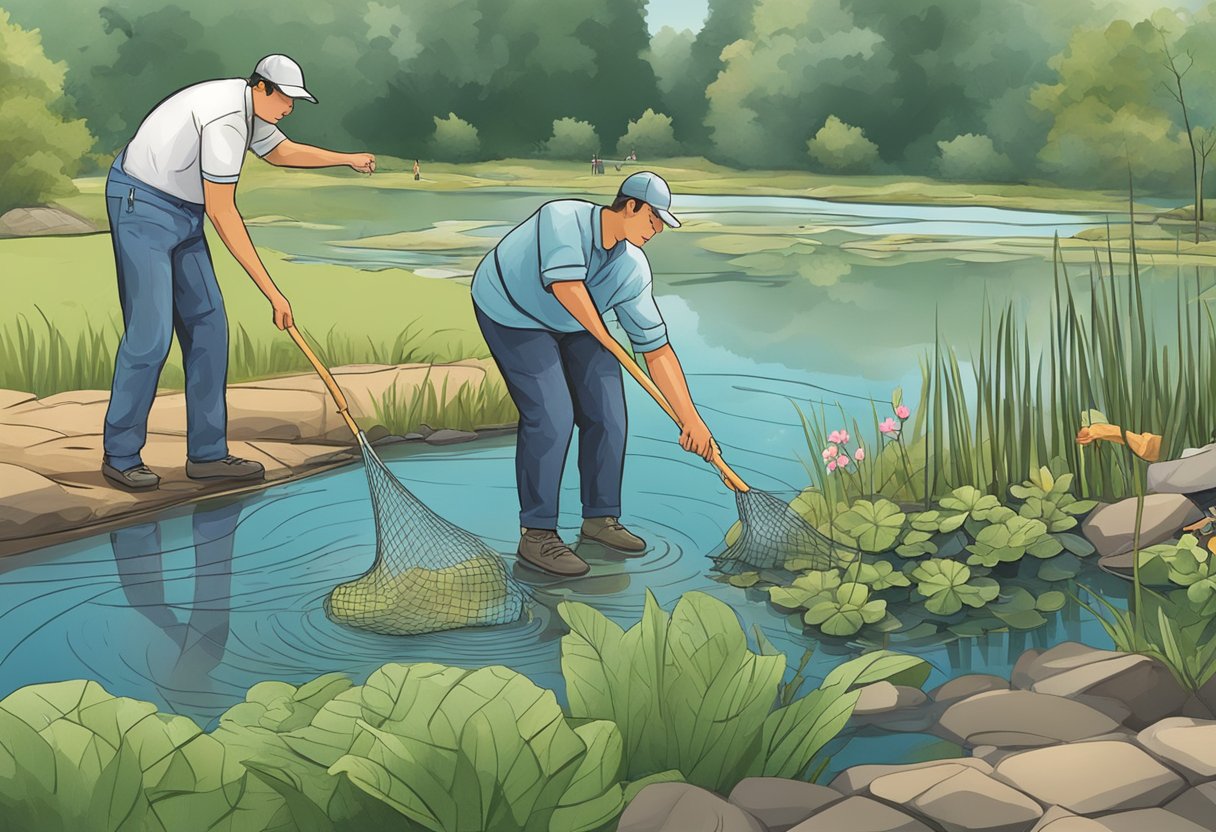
(689, 694)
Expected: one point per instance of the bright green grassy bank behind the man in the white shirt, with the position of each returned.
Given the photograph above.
(64, 321)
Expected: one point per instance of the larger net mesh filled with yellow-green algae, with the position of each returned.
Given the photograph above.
(429, 575)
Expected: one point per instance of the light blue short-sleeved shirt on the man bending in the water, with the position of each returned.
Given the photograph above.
(514, 284)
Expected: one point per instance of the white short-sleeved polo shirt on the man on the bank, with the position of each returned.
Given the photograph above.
(201, 132)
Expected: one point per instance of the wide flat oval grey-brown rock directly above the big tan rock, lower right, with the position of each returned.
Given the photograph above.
(1022, 719)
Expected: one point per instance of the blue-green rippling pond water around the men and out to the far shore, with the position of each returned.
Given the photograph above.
(190, 610)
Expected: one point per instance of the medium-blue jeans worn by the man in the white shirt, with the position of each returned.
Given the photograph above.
(166, 285)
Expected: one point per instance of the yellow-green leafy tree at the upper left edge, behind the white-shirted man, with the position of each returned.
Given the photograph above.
(42, 148)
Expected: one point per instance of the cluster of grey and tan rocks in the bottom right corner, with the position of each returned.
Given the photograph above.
(1082, 740)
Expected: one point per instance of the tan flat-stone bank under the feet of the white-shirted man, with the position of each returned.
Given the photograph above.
(52, 488)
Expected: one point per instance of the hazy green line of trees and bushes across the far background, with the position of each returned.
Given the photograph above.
(1003, 91)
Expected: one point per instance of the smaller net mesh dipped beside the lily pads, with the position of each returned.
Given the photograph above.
(773, 533)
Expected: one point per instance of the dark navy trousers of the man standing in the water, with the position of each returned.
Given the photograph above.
(558, 381)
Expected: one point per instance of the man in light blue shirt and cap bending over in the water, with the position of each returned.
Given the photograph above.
(541, 297)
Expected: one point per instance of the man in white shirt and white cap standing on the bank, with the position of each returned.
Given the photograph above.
(183, 164)
